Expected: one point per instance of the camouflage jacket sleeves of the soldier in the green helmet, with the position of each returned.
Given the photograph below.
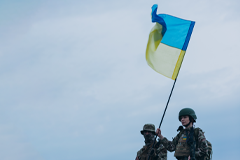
(200, 148)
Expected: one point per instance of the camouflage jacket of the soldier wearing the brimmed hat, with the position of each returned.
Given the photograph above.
(160, 152)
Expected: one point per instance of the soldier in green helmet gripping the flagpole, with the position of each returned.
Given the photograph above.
(190, 142)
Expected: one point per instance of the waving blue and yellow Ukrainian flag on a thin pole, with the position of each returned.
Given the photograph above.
(167, 43)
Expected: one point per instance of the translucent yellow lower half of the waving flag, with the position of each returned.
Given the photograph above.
(163, 58)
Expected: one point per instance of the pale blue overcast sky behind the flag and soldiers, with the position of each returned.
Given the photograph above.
(74, 82)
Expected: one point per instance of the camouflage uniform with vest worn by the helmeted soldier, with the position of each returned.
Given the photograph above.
(181, 148)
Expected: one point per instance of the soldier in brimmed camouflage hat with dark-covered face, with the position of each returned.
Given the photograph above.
(158, 152)
